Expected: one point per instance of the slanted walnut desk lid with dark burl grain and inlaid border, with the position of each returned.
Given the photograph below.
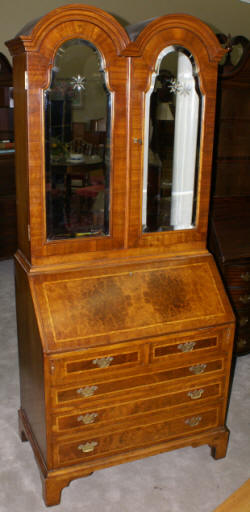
(95, 307)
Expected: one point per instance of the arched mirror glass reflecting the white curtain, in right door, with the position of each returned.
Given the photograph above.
(172, 143)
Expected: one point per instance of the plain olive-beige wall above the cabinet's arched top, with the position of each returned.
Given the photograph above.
(228, 16)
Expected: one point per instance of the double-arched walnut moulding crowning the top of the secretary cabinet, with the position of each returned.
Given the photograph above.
(129, 42)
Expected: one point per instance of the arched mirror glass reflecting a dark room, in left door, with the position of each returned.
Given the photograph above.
(77, 144)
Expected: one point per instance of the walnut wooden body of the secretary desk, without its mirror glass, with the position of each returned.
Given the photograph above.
(125, 340)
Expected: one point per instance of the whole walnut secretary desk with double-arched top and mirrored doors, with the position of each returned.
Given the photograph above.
(125, 331)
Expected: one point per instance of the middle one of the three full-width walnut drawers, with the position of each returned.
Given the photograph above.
(103, 417)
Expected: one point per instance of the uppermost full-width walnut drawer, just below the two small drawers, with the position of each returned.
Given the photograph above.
(70, 397)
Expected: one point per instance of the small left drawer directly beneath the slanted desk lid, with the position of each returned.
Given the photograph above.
(71, 367)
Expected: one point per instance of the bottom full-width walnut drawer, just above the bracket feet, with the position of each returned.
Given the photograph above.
(89, 448)
